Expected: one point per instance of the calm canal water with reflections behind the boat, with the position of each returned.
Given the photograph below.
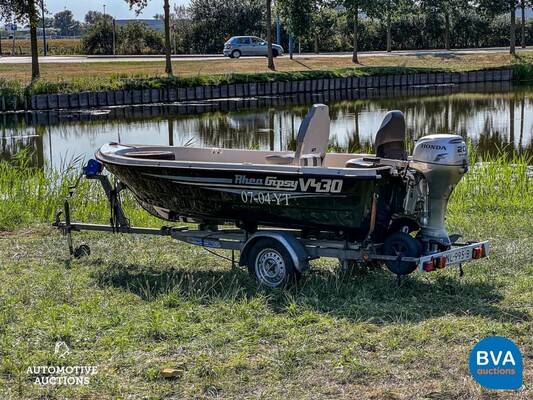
(493, 117)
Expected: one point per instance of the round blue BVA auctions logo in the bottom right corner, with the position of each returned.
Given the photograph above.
(496, 363)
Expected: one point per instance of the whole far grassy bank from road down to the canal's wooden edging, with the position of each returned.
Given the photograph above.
(78, 77)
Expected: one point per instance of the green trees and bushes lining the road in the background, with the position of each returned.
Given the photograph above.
(361, 24)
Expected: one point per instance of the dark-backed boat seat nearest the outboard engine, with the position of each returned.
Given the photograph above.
(390, 138)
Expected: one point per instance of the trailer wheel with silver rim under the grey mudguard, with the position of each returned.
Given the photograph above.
(271, 264)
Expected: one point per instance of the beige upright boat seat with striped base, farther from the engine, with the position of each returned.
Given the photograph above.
(312, 140)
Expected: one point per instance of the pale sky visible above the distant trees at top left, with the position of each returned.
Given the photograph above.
(119, 9)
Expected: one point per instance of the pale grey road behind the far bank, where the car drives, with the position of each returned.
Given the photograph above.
(96, 59)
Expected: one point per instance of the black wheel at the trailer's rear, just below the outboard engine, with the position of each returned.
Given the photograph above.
(401, 243)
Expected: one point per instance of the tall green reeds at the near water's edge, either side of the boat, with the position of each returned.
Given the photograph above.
(499, 184)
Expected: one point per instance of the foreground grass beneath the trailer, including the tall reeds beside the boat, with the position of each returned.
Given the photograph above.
(140, 304)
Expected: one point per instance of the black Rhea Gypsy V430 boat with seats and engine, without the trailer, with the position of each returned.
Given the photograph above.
(308, 189)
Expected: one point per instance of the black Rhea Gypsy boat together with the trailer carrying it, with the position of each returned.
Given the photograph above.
(291, 207)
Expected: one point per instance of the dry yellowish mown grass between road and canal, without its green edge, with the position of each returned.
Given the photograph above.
(108, 73)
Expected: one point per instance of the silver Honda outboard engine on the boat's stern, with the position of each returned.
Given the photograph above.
(441, 162)
